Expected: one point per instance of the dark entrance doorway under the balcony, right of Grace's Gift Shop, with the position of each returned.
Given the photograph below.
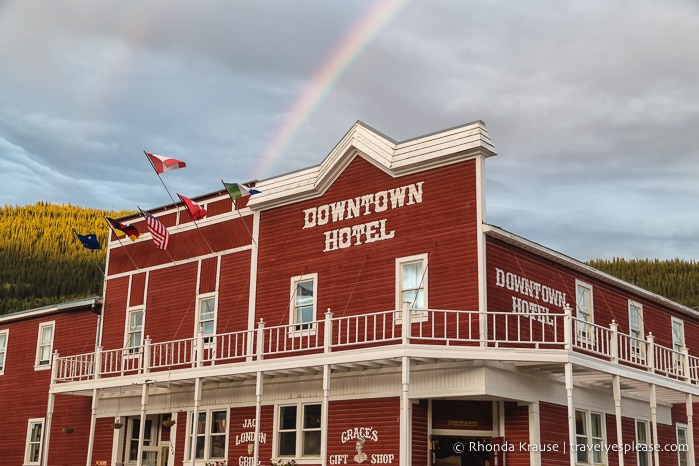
(461, 451)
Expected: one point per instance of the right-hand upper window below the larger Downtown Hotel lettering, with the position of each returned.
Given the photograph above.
(411, 282)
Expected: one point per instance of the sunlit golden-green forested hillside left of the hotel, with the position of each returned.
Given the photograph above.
(41, 260)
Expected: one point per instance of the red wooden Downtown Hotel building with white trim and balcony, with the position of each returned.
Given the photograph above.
(363, 311)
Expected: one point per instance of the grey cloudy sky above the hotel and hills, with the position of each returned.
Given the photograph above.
(592, 106)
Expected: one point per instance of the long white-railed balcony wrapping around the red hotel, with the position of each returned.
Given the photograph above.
(524, 338)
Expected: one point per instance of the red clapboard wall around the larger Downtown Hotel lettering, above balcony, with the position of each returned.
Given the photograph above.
(361, 278)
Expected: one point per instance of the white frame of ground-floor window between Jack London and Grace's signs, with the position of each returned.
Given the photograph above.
(301, 431)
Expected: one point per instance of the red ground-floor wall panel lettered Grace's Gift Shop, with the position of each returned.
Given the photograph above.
(348, 420)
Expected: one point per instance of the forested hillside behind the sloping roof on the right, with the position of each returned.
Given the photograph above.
(675, 279)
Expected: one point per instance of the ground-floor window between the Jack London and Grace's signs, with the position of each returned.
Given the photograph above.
(299, 436)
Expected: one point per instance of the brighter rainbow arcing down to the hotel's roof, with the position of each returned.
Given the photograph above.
(325, 79)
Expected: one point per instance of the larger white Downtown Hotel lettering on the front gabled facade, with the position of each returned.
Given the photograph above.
(368, 204)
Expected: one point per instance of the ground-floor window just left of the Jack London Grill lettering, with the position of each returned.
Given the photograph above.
(211, 435)
